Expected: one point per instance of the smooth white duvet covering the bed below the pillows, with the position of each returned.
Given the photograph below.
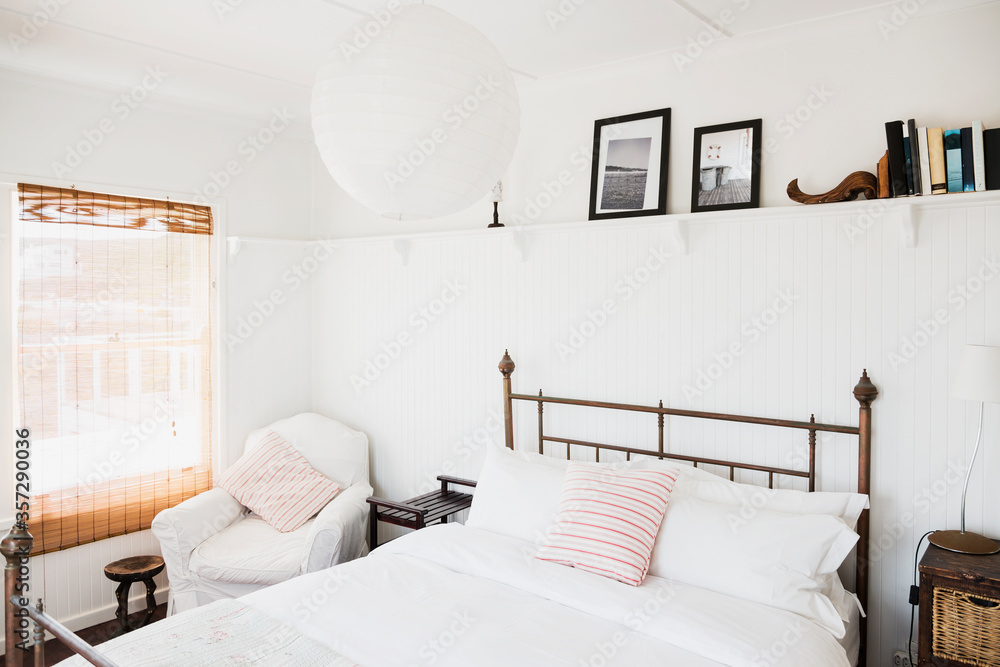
(454, 595)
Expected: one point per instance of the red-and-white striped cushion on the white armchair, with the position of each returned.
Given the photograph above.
(277, 482)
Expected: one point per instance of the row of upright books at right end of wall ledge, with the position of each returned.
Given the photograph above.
(932, 160)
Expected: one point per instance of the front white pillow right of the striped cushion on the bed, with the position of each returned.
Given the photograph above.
(778, 559)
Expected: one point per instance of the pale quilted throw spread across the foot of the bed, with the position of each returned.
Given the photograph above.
(224, 633)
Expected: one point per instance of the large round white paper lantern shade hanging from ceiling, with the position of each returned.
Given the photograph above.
(418, 117)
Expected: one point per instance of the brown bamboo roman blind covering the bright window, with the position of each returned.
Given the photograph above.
(114, 359)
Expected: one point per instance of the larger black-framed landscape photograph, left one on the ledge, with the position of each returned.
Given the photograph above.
(629, 173)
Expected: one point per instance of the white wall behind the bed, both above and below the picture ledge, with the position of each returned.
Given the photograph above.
(824, 94)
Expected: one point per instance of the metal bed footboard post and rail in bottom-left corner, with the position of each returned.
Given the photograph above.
(19, 615)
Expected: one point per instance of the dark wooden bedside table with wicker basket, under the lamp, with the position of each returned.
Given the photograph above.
(959, 609)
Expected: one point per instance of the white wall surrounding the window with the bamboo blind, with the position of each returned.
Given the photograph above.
(162, 148)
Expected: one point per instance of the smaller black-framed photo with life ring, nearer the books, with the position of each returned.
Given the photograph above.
(726, 171)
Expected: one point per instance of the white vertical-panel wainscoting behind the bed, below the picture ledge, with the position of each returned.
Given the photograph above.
(773, 312)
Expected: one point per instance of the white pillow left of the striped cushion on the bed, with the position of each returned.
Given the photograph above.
(515, 495)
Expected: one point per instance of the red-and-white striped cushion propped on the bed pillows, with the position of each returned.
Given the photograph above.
(608, 520)
